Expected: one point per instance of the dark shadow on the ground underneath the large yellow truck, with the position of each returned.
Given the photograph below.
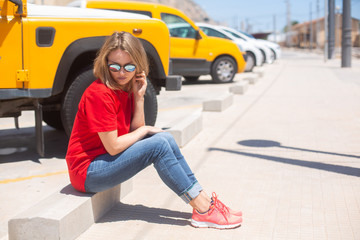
(20, 144)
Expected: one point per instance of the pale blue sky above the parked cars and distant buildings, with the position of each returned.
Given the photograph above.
(260, 14)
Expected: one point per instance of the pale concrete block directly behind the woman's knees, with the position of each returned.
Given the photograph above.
(187, 128)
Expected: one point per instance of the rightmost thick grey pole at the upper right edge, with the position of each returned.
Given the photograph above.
(346, 35)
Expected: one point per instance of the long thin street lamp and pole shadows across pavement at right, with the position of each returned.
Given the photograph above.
(303, 163)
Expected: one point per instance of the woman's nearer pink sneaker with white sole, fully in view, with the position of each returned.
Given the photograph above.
(217, 217)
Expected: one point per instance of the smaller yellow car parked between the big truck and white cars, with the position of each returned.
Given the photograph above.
(192, 52)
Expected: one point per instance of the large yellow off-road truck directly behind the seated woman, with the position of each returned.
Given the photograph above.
(47, 53)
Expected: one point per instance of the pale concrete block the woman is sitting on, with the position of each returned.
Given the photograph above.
(65, 214)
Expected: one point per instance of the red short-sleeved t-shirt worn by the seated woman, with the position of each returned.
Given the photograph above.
(100, 110)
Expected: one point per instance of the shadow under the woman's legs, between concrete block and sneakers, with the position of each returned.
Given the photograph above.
(125, 212)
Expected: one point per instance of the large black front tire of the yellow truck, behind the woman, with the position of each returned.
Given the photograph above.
(75, 91)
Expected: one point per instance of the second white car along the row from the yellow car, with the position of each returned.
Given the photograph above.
(267, 52)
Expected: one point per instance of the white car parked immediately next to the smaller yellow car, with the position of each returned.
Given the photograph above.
(254, 56)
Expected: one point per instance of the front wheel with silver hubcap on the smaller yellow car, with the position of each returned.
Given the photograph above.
(223, 70)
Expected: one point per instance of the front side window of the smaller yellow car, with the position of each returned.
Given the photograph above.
(178, 27)
